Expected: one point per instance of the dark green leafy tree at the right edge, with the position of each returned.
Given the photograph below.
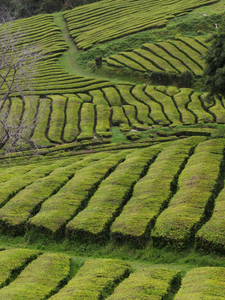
(214, 72)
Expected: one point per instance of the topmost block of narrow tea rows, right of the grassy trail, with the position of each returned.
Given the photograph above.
(95, 24)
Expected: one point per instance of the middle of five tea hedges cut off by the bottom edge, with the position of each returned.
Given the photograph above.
(95, 280)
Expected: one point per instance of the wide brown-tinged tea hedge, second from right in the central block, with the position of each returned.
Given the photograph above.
(191, 205)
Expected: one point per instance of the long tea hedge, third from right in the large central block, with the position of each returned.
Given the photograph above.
(153, 192)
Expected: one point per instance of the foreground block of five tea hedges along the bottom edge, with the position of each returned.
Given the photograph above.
(29, 274)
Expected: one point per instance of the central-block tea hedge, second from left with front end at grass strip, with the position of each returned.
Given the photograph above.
(74, 196)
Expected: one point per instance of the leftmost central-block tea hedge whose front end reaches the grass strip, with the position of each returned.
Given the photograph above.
(14, 215)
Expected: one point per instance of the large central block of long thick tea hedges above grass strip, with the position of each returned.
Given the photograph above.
(122, 195)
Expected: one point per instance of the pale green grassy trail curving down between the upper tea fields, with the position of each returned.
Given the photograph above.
(68, 59)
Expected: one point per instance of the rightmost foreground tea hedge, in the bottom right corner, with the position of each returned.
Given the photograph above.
(203, 283)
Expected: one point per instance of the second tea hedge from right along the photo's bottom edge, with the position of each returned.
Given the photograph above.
(153, 283)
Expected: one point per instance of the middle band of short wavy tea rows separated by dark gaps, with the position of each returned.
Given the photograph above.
(81, 116)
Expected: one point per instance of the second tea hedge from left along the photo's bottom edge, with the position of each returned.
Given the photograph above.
(40, 279)
